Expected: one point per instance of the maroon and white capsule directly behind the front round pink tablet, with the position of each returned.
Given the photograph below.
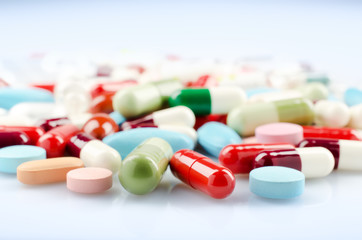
(94, 153)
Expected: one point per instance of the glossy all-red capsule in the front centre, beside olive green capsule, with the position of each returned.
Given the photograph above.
(201, 173)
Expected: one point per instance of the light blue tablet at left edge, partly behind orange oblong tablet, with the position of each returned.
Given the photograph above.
(11, 157)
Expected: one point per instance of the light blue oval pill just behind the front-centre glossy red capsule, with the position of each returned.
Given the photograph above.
(214, 136)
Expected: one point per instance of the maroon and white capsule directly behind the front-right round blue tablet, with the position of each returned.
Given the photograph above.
(314, 162)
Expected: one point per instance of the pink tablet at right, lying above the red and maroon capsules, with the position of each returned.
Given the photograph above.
(279, 132)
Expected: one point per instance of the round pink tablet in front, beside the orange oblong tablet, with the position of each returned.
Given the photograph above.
(89, 180)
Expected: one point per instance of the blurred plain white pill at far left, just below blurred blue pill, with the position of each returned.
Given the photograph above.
(37, 111)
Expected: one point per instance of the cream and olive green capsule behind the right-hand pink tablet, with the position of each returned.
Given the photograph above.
(246, 118)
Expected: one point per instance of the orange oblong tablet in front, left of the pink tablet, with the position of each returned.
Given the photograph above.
(49, 170)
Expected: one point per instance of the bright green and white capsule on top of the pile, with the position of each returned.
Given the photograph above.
(203, 101)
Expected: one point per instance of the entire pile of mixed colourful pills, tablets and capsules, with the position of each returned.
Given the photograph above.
(65, 131)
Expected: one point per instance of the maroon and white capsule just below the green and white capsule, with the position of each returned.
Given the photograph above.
(180, 115)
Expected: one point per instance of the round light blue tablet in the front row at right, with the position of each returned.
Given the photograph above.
(276, 182)
